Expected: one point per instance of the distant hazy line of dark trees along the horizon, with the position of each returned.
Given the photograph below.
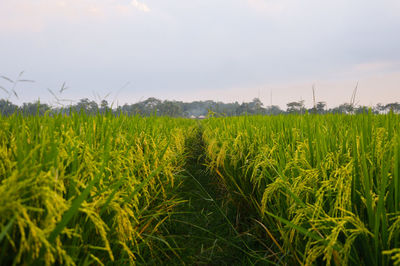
(196, 109)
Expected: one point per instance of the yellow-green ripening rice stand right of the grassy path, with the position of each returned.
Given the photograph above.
(325, 189)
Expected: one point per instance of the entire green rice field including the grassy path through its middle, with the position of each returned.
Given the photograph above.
(263, 190)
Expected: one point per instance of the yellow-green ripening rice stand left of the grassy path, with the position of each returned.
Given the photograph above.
(85, 189)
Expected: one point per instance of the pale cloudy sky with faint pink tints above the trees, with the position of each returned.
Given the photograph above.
(125, 51)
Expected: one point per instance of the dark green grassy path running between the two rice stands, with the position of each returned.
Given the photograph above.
(203, 229)
